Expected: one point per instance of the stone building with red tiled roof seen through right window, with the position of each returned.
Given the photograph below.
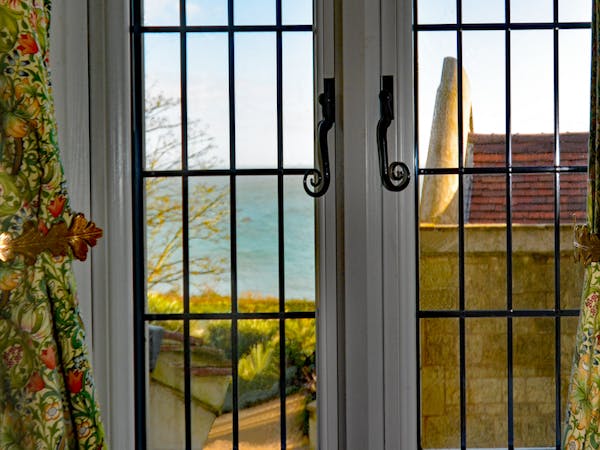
(541, 251)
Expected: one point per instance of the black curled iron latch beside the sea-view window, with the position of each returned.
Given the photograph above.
(319, 182)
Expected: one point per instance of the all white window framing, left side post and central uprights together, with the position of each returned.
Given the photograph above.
(366, 253)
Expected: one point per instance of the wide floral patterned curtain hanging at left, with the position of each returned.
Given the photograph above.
(47, 398)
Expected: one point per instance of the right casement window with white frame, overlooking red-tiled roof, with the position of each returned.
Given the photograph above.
(465, 277)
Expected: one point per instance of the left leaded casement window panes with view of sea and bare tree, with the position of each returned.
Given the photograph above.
(224, 232)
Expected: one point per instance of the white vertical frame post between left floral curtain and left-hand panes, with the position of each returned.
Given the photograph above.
(110, 162)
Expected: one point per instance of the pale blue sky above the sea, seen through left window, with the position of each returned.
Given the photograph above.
(255, 80)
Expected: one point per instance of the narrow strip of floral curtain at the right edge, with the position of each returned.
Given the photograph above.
(583, 403)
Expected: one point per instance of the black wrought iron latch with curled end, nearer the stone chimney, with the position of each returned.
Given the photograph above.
(395, 176)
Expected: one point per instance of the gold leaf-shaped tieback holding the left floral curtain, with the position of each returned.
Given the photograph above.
(78, 237)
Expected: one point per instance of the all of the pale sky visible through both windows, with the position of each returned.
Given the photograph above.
(483, 60)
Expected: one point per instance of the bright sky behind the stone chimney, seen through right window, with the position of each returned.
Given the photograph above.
(532, 81)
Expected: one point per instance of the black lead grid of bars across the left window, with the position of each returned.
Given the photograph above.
(187, 175)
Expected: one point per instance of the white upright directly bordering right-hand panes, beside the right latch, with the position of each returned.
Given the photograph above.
(400, 337)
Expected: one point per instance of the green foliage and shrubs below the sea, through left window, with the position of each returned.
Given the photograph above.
(258, 341)
